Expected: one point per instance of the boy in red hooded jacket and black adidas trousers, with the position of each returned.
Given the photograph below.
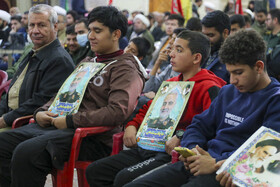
(189, 51)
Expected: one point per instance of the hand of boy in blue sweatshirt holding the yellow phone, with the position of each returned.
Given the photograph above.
(201, 164)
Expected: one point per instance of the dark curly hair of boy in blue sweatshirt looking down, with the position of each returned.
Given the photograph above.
(244, 47)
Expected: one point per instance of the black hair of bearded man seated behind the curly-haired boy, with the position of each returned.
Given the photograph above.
(217, 19)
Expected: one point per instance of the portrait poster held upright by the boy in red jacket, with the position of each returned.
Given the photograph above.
(163, 115)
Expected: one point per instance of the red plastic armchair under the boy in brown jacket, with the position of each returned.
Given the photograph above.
(64, 178)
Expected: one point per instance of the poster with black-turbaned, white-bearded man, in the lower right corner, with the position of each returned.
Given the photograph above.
(257, 161)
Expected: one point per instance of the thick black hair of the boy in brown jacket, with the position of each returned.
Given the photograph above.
(110, 17)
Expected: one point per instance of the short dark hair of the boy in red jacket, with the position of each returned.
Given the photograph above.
(197, 42)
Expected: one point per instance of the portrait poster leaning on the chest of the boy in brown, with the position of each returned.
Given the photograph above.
(71, 93)
